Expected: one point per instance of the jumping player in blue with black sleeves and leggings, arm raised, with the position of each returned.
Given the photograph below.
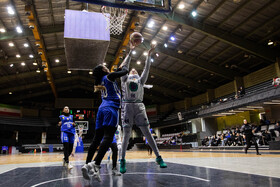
(107, 116)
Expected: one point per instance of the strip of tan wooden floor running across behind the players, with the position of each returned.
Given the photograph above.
(57, 157)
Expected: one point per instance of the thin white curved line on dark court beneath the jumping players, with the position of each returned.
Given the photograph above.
(135, 173)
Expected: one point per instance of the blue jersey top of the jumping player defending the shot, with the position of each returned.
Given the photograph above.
(111, 96)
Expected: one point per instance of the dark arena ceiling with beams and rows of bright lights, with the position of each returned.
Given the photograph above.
(225, 40)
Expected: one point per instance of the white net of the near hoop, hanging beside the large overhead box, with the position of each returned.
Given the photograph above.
(115, 18)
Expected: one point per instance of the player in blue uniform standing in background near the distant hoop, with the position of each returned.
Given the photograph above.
(67, 134)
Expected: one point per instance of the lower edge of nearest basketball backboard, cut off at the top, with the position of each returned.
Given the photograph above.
(144, 5)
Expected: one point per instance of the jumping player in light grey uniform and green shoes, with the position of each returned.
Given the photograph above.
(134, 110)
